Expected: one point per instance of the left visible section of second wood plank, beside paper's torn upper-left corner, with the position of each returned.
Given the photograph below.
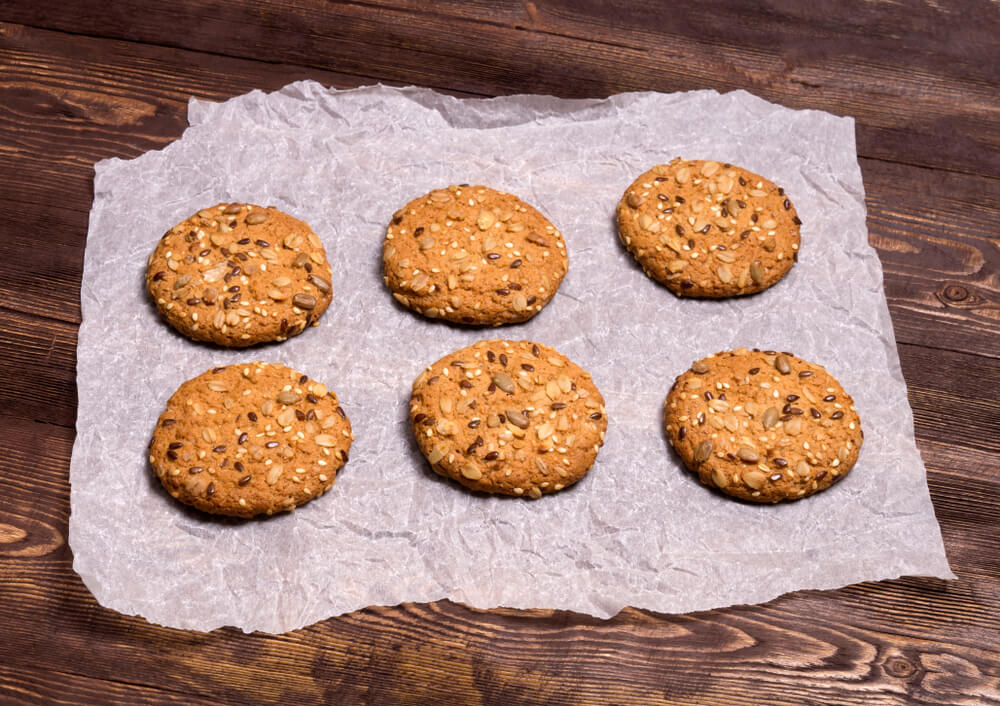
(70, 102)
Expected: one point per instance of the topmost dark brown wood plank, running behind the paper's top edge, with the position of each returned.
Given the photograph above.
(924, 92)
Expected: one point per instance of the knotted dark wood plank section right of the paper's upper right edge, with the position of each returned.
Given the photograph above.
(936, 235)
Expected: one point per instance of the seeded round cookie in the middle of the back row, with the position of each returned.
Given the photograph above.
(472, 255)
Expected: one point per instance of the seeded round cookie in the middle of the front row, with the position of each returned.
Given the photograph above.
(508, 417)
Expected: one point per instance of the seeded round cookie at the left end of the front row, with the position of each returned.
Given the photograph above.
(250, 439)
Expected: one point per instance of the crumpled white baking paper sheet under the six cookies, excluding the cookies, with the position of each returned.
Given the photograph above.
(638, 530)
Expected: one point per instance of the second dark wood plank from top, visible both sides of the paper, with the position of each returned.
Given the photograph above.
(934, 230)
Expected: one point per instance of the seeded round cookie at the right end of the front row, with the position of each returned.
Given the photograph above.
(763, 426)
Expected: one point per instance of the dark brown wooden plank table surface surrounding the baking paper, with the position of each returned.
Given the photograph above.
(86, 80)
